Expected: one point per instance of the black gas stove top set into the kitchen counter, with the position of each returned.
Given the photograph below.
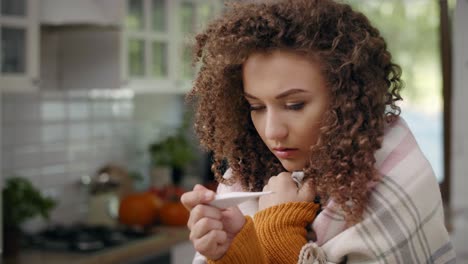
(84, 238)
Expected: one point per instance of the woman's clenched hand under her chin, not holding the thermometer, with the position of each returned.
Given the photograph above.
(284, 190)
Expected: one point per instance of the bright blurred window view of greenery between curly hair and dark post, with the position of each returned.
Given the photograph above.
(411, 29)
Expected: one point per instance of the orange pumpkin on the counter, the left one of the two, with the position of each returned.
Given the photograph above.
(139, 209)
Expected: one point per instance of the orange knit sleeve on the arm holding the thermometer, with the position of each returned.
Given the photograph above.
(245, 248)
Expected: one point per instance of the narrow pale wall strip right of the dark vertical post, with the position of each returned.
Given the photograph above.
(459, 164)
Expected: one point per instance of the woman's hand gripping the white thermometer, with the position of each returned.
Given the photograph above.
(211, 229)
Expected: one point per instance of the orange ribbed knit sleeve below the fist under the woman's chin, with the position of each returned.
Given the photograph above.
(282, 230)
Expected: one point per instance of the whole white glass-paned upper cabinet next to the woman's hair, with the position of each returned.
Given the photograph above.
(156, 54)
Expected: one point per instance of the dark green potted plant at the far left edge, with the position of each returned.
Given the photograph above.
(21, 201)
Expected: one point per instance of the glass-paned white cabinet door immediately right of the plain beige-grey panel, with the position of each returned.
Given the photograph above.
(147, 45)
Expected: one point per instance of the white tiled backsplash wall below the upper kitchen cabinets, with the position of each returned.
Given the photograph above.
(55, 137)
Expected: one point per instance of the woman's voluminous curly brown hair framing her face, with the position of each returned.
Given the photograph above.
(364, 85)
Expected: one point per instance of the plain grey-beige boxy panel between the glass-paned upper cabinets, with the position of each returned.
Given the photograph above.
(80, 57)
